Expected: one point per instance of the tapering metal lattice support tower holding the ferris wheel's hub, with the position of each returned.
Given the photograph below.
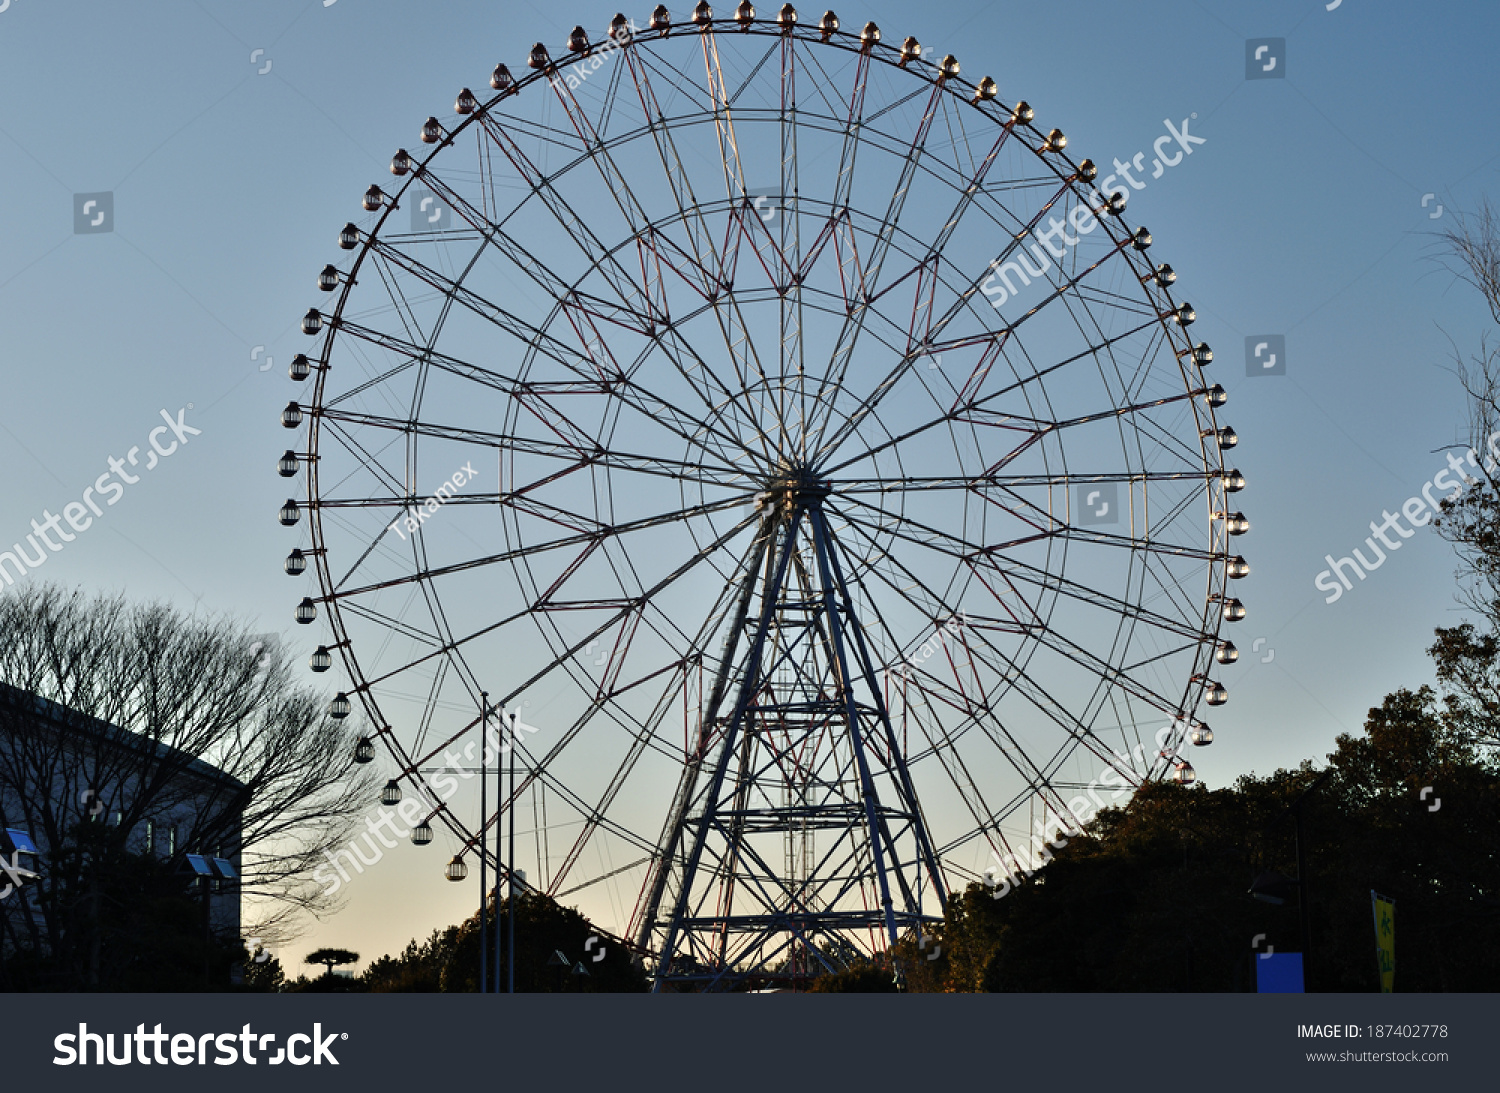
(796, 843)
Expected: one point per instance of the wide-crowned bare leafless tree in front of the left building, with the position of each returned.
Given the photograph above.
(121, 714)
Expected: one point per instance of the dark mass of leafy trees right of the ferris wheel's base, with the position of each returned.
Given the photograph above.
(1156, 896)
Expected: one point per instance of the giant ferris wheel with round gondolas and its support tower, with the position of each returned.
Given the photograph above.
(722, 397)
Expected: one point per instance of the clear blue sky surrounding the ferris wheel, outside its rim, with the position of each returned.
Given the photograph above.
(1301, 215)
